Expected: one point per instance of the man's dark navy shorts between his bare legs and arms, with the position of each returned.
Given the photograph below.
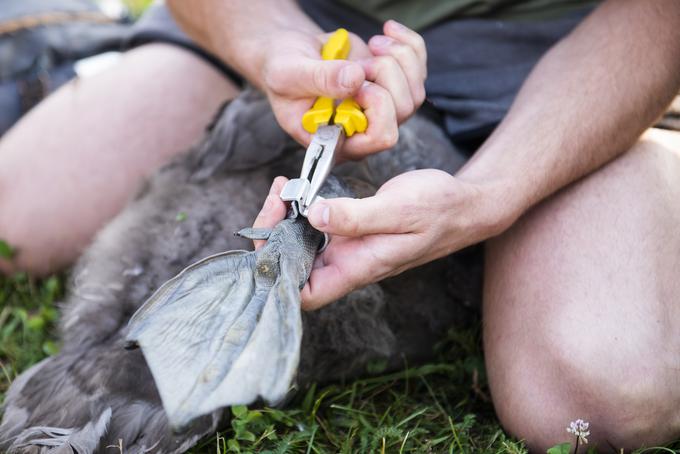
(475, 66)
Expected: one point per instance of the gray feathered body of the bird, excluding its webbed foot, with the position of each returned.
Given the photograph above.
(149, 243)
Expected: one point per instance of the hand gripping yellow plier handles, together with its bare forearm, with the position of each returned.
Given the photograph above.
(277, 47)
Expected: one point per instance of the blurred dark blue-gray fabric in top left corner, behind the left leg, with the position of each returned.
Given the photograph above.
(40, 41)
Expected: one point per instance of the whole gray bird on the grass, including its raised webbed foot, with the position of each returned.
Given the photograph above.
(95, 393)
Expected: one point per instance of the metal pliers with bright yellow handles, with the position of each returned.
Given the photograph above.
(329, 125)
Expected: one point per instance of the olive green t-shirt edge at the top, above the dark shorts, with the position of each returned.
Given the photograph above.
(418, 14)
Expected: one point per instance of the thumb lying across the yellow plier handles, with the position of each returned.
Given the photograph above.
(310, 77)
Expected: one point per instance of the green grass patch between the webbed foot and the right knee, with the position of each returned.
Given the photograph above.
(437, 407)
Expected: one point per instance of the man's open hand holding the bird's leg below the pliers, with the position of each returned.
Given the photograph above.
(414, 218)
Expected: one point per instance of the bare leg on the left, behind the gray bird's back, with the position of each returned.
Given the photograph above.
(76, 159)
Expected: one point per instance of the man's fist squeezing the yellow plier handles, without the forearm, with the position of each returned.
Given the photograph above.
(386, 77)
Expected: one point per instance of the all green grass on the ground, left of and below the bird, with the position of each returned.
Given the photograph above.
(441, 407)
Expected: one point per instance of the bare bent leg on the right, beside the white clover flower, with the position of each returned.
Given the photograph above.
(582, 306)
